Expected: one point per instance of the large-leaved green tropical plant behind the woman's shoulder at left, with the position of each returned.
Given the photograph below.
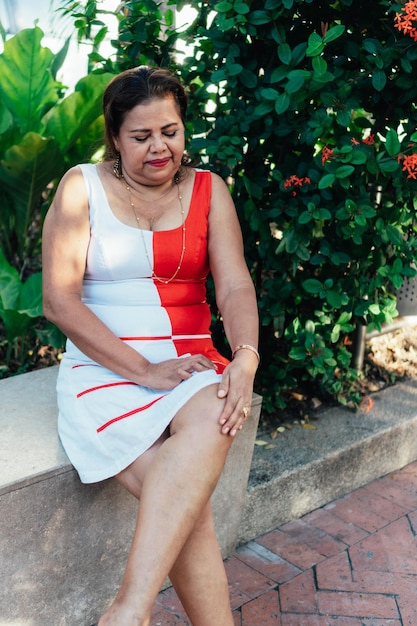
(42, 133)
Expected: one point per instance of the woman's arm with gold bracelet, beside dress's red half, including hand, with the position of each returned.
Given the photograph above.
(236, 300)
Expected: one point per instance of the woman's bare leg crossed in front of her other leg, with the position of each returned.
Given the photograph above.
(176, 488)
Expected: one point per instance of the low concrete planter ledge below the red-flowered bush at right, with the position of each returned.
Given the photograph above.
(309, 468)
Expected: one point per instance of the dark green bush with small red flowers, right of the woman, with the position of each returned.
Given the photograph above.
(307, 109)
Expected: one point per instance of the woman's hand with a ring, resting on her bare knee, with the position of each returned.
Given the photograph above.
(236, 387)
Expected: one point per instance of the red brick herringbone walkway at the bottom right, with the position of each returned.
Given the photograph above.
(350, 563)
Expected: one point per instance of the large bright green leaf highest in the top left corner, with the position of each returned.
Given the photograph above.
(27, 87)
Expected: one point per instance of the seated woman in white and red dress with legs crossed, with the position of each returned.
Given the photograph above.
(143, 395)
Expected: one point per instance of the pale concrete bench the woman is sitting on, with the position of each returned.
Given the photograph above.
(63, 545)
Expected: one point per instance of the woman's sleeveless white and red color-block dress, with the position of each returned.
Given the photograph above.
(105, 421)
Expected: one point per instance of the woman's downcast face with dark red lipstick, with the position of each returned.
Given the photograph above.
(151, 141)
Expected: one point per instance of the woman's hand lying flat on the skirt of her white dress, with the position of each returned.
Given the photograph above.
(168, 374)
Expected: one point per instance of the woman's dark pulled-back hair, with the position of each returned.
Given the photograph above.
(136, 86)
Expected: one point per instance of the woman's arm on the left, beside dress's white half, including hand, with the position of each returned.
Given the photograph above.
(66, 236)
